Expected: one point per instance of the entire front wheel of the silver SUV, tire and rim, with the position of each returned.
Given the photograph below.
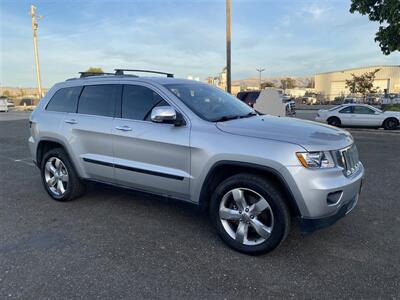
(270, 216)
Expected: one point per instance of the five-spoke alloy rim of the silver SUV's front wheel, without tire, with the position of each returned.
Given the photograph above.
(246, 216)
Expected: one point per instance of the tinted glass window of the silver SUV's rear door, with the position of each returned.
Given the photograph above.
(98, 100)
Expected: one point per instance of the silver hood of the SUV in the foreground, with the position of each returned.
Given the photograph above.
(310, 135)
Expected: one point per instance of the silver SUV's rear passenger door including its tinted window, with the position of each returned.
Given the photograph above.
(89, 130)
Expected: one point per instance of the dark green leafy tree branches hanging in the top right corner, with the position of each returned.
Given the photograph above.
(387, 13)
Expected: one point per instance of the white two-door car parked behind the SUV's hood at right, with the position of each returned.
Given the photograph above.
(359, 115)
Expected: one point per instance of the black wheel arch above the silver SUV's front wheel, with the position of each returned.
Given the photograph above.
(224, 169)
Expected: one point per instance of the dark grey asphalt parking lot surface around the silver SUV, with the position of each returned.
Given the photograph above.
(120, 244)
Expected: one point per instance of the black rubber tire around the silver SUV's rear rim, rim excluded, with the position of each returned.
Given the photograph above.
(74, 188)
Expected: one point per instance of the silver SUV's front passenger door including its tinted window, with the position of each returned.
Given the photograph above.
(150, 156)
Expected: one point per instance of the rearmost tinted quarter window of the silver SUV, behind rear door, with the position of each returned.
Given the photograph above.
(64, 100)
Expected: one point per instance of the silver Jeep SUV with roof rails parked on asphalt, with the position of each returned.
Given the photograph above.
(194, 142)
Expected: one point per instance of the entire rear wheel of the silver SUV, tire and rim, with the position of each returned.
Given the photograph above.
(56, 166)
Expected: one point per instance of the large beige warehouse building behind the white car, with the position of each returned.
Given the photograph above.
(333, 84)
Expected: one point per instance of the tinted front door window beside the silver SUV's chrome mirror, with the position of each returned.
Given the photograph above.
(138, 101)
